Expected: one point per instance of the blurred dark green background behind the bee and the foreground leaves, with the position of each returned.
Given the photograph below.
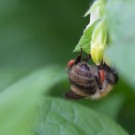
(36, 34)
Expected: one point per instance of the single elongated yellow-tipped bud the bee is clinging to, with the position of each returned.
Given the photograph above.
(98, 42)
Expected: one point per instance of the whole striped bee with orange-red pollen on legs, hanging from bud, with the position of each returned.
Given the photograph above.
(89, 81)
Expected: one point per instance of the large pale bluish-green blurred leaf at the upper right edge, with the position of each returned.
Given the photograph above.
(121, 27)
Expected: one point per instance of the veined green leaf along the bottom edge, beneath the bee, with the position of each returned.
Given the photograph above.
(59, 117)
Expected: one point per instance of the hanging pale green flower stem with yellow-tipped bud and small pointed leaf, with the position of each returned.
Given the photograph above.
(95, 39)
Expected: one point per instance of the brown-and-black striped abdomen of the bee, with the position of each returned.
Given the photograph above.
(82, 79)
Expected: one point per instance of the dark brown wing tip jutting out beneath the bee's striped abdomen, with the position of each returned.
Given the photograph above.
(72, 95)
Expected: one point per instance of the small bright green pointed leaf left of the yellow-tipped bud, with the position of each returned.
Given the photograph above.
(85, 40)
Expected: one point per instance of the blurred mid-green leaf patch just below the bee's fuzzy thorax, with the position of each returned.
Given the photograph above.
(115, 101)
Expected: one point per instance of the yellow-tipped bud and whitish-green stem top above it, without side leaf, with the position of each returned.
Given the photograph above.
(99, 35)
